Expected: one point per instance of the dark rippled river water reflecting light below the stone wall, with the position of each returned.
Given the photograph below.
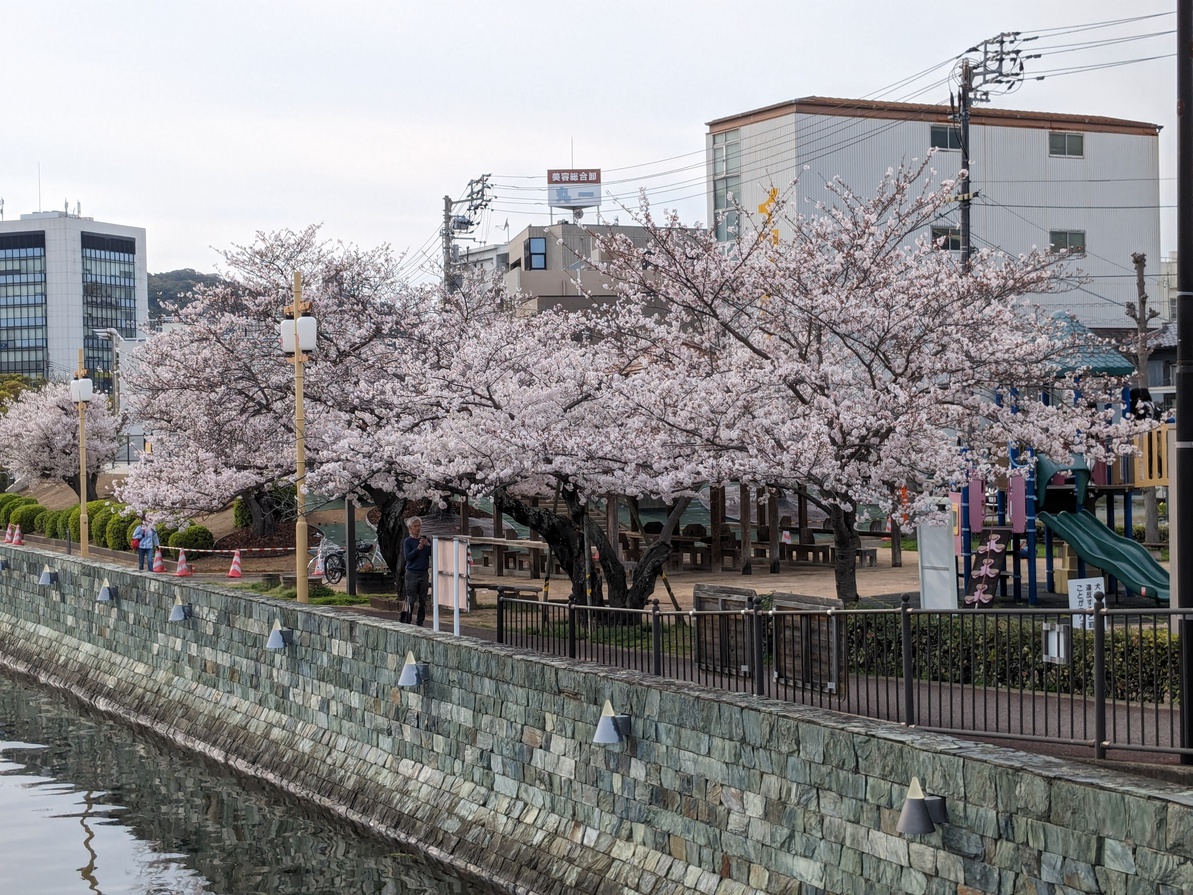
(89, 805)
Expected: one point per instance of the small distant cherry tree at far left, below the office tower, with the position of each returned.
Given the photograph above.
(40, 437)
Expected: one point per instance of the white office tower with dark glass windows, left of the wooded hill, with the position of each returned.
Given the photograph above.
(69, 283)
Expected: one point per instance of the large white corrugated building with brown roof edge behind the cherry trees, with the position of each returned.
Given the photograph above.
(1084, 183)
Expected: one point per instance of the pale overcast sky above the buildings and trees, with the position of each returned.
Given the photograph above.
(206, 121)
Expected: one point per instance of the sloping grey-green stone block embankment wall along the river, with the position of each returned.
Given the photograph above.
(490, 766)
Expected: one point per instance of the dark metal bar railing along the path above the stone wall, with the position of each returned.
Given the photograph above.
(1095, 680)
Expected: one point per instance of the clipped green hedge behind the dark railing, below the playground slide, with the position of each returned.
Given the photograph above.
(1004, 652)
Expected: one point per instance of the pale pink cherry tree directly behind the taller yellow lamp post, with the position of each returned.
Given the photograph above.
(218, 393)
